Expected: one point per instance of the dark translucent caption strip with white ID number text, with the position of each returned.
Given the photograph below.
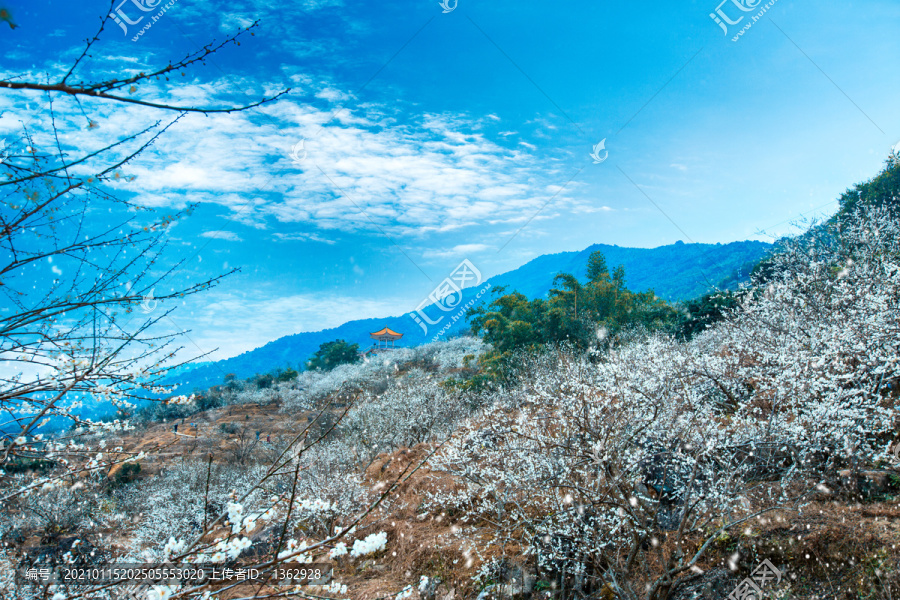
(285, 574)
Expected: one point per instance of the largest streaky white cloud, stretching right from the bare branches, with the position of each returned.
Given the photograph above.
(410, 175)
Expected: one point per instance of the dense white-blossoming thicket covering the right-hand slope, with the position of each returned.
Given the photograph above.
(620, 472)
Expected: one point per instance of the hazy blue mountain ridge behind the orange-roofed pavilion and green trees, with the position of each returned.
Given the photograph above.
(676, 272)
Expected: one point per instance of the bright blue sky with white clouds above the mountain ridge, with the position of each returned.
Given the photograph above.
(431, 137)
